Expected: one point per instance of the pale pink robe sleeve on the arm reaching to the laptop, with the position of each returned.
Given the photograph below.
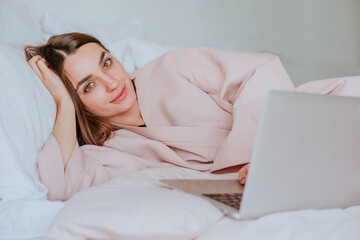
(239, 82)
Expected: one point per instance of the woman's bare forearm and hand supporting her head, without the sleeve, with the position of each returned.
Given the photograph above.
(65, 124)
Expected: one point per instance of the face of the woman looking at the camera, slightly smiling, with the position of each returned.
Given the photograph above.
(101, 82)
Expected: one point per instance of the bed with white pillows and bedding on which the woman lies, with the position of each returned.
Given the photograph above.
(135, 205)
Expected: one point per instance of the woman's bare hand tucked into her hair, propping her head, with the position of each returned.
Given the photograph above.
(49, 78)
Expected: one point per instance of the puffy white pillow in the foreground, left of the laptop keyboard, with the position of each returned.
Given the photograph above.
(134, 206)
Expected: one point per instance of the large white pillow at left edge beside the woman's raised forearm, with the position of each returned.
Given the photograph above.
(27, 115)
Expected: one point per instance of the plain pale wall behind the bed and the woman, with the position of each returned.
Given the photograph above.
(315, 39)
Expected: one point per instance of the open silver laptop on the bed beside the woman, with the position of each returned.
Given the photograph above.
(306, 156)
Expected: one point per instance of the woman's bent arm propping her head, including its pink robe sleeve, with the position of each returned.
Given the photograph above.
(65, 168)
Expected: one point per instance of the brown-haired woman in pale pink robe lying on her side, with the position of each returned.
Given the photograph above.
(194, 108)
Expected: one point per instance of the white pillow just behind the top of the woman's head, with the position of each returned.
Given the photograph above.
(106, 33)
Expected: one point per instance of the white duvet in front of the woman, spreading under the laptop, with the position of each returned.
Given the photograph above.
(137, 206)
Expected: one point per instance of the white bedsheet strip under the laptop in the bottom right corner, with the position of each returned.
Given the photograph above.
(332, 224)
